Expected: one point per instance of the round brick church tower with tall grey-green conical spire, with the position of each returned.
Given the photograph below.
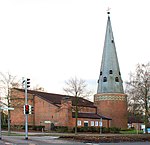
(110, 98)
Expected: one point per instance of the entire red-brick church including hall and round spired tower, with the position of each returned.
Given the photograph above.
(109, 107)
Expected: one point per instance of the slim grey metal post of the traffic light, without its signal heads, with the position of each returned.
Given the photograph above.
(26, 115)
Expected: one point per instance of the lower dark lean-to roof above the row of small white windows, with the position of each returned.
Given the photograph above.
(90, 115)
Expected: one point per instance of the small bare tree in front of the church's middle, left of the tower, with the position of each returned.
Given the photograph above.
(77, 88)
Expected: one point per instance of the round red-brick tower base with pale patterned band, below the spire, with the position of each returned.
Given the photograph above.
(113, 105)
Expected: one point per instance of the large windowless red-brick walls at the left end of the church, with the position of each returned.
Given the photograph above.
(45, 113)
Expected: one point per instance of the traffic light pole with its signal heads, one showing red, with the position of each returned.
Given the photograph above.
(26, 83)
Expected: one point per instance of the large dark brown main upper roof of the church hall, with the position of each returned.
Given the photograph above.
(56, 98)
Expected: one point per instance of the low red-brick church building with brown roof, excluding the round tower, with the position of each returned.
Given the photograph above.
(55, 109)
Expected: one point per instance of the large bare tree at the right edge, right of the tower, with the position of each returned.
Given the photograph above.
(138, 89)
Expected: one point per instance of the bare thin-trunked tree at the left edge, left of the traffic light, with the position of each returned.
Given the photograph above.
(7, 82)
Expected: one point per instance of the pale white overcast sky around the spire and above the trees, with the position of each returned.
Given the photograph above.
(50, 41)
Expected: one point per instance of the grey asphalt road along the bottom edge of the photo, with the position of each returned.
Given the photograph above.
(46, 140)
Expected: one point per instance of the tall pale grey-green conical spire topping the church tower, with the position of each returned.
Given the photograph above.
(110, 77)
